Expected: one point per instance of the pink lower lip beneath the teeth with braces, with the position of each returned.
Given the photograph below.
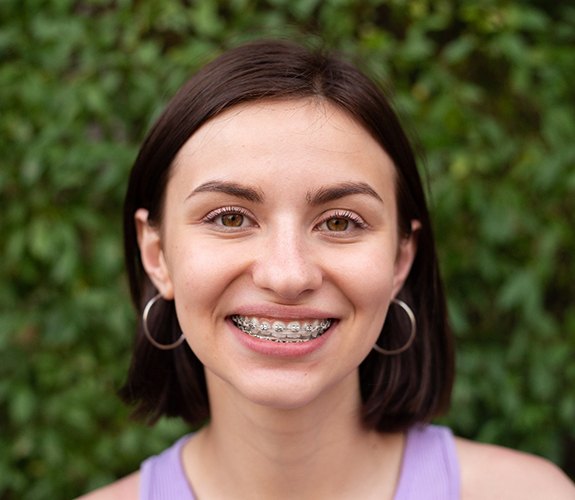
(281, 349)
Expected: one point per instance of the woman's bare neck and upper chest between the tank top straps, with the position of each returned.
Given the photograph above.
(319, 450)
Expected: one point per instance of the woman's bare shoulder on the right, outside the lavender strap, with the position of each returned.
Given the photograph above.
(489, 471)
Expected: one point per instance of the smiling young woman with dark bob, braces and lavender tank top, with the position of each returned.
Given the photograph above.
(281, 257)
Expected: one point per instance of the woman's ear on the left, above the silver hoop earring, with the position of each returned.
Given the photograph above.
(152, 254)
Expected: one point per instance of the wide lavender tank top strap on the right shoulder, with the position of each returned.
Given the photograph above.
(430, 468)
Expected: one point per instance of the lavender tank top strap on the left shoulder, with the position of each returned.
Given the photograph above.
(162, 476)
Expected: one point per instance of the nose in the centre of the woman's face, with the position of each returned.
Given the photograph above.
(285, 264)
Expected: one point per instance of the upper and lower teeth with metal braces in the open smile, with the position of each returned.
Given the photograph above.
(278, 331)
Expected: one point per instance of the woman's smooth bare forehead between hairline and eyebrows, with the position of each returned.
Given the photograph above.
(287, 139)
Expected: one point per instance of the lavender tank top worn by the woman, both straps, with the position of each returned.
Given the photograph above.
(429, 469)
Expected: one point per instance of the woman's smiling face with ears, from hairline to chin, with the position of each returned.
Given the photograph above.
(279, 244)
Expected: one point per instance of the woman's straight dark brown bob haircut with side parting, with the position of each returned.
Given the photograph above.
(397, 391)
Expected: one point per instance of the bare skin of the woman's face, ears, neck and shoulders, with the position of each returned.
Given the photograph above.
(287, 210)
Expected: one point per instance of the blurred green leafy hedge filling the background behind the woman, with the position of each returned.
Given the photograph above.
(485, 85)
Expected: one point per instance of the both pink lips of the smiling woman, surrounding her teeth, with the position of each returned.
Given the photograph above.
(281, 349)
